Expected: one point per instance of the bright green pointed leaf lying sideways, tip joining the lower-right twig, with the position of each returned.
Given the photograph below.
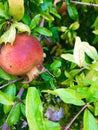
(67, 95)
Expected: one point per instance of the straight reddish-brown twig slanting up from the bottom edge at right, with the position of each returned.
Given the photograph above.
(81, 110)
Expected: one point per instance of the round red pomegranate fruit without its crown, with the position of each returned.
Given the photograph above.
(19, 58)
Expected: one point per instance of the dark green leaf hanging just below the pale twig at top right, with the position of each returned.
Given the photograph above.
(72, 11)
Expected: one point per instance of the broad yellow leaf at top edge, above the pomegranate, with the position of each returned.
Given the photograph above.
(16, 9)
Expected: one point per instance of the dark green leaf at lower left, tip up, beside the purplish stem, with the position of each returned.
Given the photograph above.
(14, 115)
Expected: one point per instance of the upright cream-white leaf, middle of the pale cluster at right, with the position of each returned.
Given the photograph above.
(79, 55)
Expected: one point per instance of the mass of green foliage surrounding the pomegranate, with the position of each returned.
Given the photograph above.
(70, 82)
